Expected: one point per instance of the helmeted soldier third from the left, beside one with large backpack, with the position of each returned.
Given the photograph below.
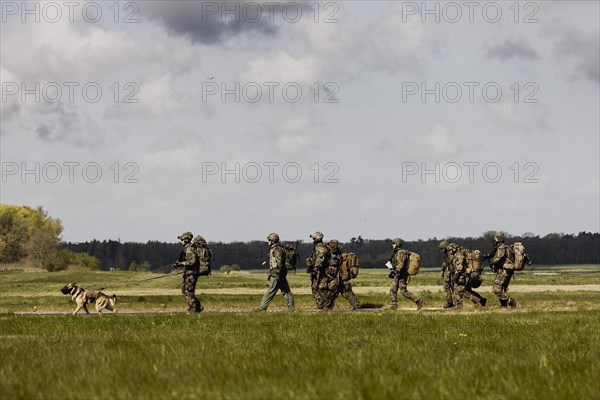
(317, 265)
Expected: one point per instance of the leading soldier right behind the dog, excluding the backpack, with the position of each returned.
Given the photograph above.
(189, 261)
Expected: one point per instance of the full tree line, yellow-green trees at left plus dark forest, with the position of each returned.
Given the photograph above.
(30, 234)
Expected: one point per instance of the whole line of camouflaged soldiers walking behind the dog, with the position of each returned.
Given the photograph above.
(330, 274)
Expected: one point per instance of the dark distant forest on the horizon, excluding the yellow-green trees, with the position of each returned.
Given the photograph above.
(552, 249)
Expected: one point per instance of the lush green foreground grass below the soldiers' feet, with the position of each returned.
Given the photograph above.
(532, 355)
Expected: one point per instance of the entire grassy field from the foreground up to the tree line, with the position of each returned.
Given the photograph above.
(547, 349)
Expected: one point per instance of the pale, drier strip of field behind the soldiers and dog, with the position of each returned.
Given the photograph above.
(164, 293)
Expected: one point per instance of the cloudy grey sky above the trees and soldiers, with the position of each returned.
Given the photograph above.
(136, 121)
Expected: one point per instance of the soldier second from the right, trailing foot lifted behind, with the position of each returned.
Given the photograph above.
(464, 279)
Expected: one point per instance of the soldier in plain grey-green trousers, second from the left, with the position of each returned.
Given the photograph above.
(277, 275)
